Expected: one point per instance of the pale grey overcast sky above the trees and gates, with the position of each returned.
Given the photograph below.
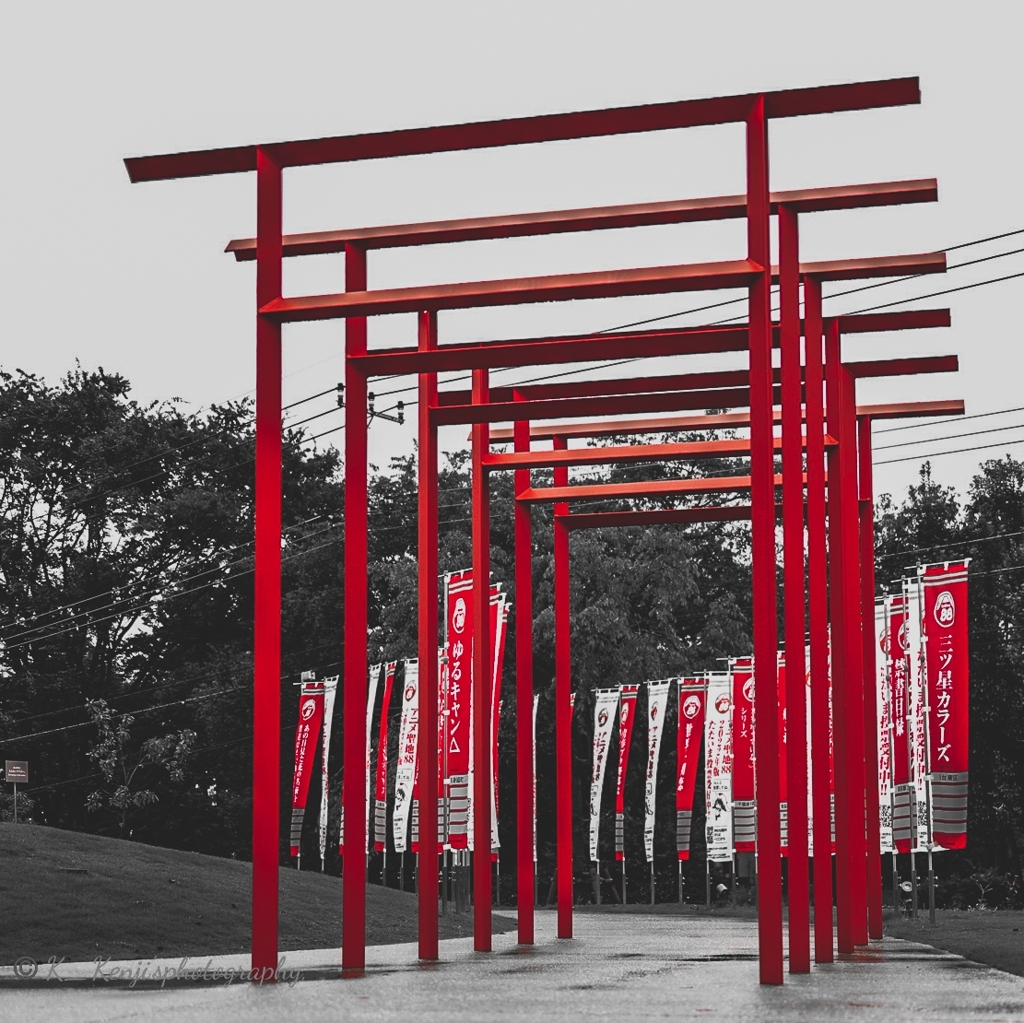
(135, 279)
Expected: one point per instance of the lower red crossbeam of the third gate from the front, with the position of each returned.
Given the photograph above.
(616, 405)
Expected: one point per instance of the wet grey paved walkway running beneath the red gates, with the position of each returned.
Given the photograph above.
(618, 968)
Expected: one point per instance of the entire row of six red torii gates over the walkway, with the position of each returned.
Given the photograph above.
(826, 484)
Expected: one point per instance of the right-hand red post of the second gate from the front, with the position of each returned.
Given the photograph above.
(793, 539)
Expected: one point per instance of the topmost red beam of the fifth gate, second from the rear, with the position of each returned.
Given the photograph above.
(689, 381)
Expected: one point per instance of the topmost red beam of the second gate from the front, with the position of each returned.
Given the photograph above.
(595, 219)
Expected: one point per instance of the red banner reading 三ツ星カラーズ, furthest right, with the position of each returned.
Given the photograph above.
(948, 677)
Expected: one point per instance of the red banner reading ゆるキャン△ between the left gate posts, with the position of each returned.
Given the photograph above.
(459, 649)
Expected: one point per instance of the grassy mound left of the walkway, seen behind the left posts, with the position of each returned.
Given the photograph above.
(63, 893)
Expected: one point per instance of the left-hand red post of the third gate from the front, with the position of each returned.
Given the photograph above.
(428, 645)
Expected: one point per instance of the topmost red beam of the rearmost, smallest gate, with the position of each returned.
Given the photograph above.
(723, 421)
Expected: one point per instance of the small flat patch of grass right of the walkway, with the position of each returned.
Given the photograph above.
(993, 937)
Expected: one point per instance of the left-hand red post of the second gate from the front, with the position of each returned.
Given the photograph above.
(354, 790)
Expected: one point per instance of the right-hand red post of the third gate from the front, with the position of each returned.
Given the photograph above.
(818, 586)
